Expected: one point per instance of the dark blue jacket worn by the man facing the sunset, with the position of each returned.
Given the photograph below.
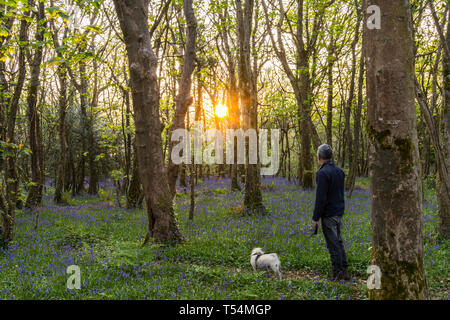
(330, 191)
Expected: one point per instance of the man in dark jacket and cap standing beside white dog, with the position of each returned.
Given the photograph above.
(330, 207)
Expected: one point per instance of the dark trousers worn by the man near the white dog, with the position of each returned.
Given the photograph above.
(331, 227)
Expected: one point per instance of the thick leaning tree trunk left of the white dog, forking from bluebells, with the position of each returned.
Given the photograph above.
(133, 18)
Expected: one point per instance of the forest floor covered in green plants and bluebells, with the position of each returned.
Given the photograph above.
(213, 263)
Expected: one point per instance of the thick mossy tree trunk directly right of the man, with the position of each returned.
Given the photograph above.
(397, 224)
